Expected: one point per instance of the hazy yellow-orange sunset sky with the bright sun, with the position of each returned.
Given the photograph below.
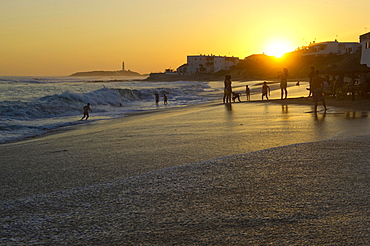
(61, 37)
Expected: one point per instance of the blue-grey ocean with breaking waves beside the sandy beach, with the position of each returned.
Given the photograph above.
(32, 106)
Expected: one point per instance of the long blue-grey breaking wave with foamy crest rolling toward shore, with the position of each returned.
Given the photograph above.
(70, 103)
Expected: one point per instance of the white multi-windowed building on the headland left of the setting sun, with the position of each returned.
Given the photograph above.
(210, 63)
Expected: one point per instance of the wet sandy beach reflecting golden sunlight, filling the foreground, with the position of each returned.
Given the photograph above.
(250, 173)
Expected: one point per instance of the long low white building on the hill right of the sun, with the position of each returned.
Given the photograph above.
(335, 47)
